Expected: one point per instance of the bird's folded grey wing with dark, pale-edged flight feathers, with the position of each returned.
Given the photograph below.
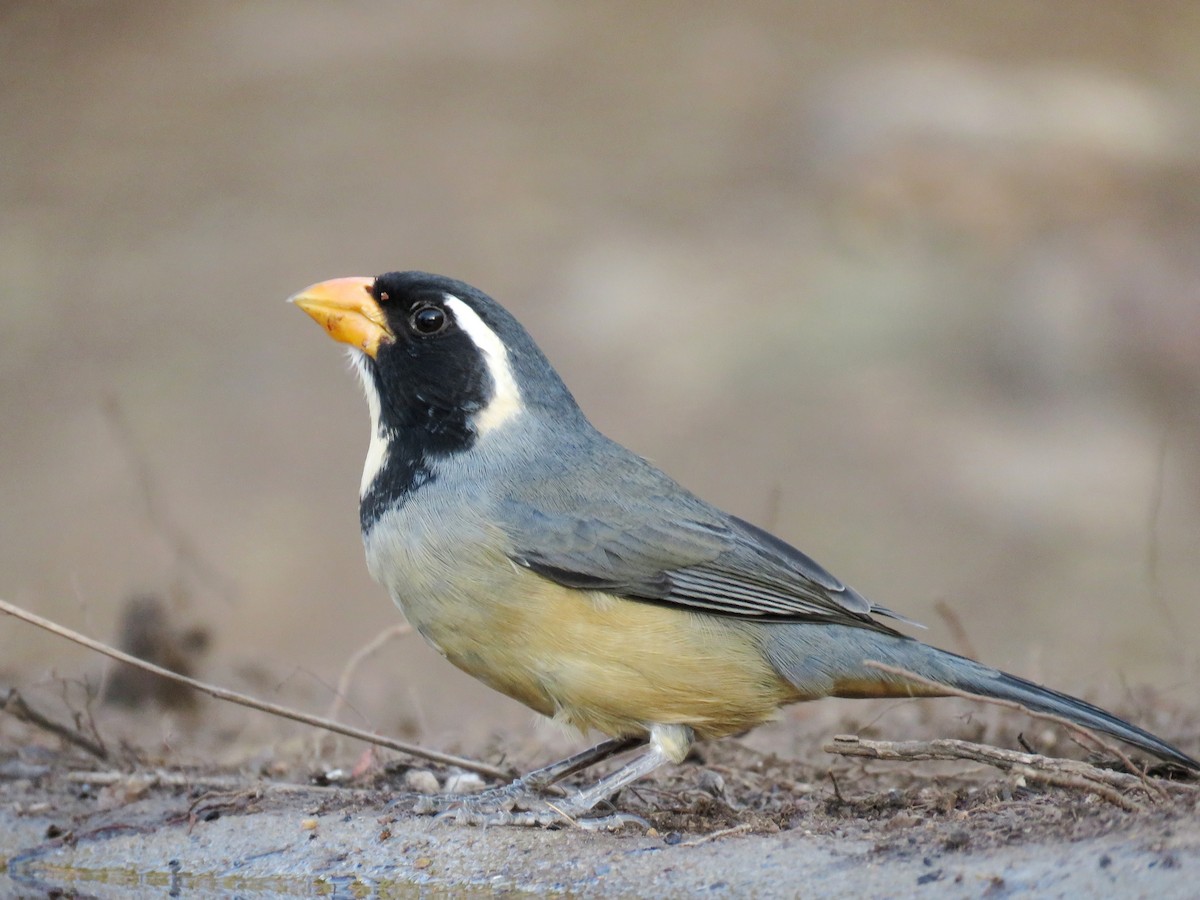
(664, 545)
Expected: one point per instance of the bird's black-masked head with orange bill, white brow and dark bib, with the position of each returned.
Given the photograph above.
(443, 365)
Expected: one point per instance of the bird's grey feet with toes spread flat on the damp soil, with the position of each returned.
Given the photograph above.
(519, 805)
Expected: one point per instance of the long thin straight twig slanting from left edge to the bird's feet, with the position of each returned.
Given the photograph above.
(251, 703)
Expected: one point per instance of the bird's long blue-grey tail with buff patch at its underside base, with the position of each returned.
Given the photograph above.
(830, 661)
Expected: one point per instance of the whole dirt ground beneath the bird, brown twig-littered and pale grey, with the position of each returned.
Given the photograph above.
(737, 819)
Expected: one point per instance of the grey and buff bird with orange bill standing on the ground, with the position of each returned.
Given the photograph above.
(568, 573)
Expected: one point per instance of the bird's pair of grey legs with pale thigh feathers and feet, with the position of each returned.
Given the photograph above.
(521, 803)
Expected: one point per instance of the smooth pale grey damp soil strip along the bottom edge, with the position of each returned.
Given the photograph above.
(347, 844)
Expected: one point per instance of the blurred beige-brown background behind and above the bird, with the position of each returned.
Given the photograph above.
(915, 285)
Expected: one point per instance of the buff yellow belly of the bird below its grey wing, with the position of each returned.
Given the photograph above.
(598, 662)
